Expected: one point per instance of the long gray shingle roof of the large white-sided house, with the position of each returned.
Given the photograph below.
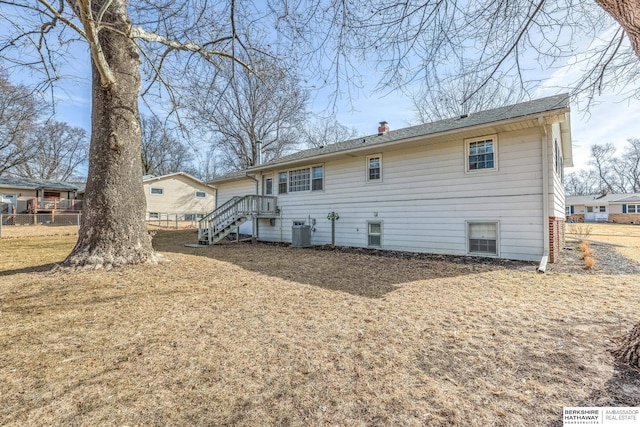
(486, 117)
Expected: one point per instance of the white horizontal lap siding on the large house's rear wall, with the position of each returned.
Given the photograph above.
(424, 199)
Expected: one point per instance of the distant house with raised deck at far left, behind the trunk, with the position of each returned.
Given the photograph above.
(26, 195)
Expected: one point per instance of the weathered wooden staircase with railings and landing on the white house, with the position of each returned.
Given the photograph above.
(217, 224)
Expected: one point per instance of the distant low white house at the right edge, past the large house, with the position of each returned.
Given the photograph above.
(605, 207)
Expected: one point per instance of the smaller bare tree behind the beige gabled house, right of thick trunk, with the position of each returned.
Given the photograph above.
(162, 152)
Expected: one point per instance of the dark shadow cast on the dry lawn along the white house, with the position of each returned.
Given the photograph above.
(359, 272)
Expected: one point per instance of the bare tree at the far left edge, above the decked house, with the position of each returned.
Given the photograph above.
(19, 112)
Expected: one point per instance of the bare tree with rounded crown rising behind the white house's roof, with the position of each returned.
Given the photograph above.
(263, 104)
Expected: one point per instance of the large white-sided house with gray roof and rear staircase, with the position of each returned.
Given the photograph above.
(486, 184)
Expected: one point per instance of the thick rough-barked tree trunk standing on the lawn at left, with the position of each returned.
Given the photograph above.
(113, 230)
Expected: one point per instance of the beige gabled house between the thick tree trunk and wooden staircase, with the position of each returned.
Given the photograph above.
(177, 194)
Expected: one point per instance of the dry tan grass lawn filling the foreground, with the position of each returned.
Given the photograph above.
(256, 335)
